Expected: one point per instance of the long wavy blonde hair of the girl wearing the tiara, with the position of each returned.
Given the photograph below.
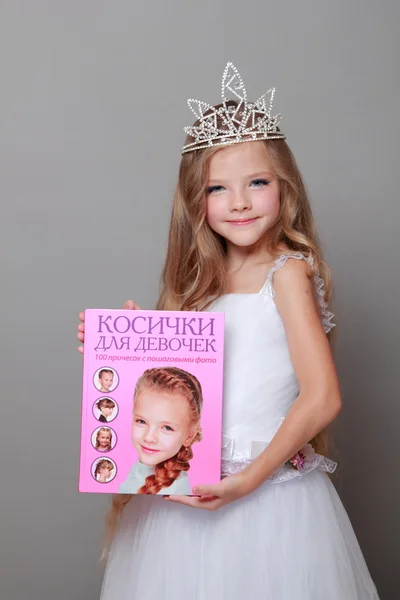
(195, 270)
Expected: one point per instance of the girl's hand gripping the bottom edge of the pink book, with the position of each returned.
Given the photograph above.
(211, 497)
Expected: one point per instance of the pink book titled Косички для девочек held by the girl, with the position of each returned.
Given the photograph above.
(152, 401)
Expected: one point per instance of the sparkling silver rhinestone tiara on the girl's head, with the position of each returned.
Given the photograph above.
(233, 123)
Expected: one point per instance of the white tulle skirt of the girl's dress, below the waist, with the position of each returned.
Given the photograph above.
(285, 541)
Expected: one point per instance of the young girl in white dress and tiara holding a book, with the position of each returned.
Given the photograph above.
(242, 240)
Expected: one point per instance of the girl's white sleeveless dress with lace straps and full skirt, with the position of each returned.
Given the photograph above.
(291, 539)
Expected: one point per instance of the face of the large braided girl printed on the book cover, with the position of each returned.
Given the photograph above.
(161, 426)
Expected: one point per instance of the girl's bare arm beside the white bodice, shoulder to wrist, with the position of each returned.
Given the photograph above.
(319, 401)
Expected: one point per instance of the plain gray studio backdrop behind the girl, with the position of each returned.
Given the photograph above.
(92, 109)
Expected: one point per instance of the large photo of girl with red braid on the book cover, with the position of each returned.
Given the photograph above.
(166, 422)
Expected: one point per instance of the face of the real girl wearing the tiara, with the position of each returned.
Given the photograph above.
(243, 197)
